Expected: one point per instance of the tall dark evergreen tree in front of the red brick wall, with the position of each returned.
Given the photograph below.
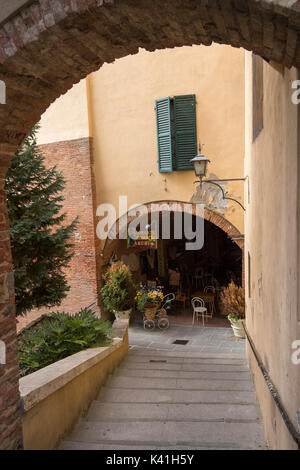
(41, 245)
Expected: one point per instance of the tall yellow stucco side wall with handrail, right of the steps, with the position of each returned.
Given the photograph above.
(271, 239)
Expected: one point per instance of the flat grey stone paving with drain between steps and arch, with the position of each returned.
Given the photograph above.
(204, 340)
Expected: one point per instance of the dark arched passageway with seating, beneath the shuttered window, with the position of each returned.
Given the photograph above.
(171, 263)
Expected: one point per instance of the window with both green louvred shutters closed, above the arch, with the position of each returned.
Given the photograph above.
(176, 132)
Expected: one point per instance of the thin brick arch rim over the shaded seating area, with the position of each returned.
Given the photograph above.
(211, 216)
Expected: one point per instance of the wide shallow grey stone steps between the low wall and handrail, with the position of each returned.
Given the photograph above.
(173, 400)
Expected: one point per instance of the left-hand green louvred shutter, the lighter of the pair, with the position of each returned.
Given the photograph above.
(164, 134)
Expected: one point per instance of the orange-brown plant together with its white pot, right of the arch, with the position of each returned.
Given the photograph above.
(233, 302)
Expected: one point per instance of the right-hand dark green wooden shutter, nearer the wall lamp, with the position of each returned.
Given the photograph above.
(185, 131)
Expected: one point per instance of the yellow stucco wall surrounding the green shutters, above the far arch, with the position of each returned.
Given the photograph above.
(123, 98)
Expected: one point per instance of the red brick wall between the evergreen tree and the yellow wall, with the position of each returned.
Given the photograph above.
(74, 159)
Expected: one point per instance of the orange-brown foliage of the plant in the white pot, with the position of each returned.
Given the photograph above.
(233, 301)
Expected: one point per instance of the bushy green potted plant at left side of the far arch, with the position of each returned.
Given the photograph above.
(119, 290)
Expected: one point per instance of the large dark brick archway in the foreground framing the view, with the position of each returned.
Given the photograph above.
(46, 46)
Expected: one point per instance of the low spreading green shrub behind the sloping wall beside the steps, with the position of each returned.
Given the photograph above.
(60, 336)
